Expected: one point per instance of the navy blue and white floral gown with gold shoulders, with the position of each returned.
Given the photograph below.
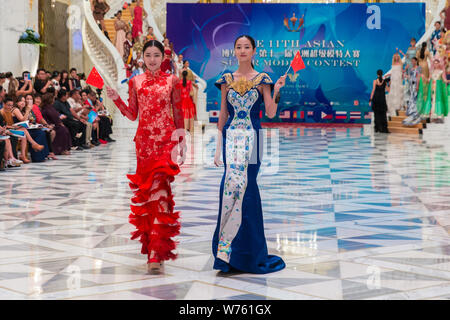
(239, 242)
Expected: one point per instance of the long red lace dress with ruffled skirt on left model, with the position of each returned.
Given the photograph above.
(152, 96)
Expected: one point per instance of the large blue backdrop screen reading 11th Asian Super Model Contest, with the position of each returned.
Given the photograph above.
(342, 45)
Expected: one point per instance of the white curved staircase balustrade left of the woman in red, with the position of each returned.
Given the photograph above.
(99, 52)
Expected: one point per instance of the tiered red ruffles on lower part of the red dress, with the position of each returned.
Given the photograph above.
(155, 237)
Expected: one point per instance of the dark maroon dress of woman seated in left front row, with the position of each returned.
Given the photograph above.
(62, 142)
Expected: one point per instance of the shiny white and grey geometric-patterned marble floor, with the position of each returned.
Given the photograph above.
(354, 215)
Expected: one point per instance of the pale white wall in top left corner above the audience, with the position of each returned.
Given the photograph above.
(15, 17)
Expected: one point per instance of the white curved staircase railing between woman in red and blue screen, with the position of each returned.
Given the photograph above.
(202, 114)
